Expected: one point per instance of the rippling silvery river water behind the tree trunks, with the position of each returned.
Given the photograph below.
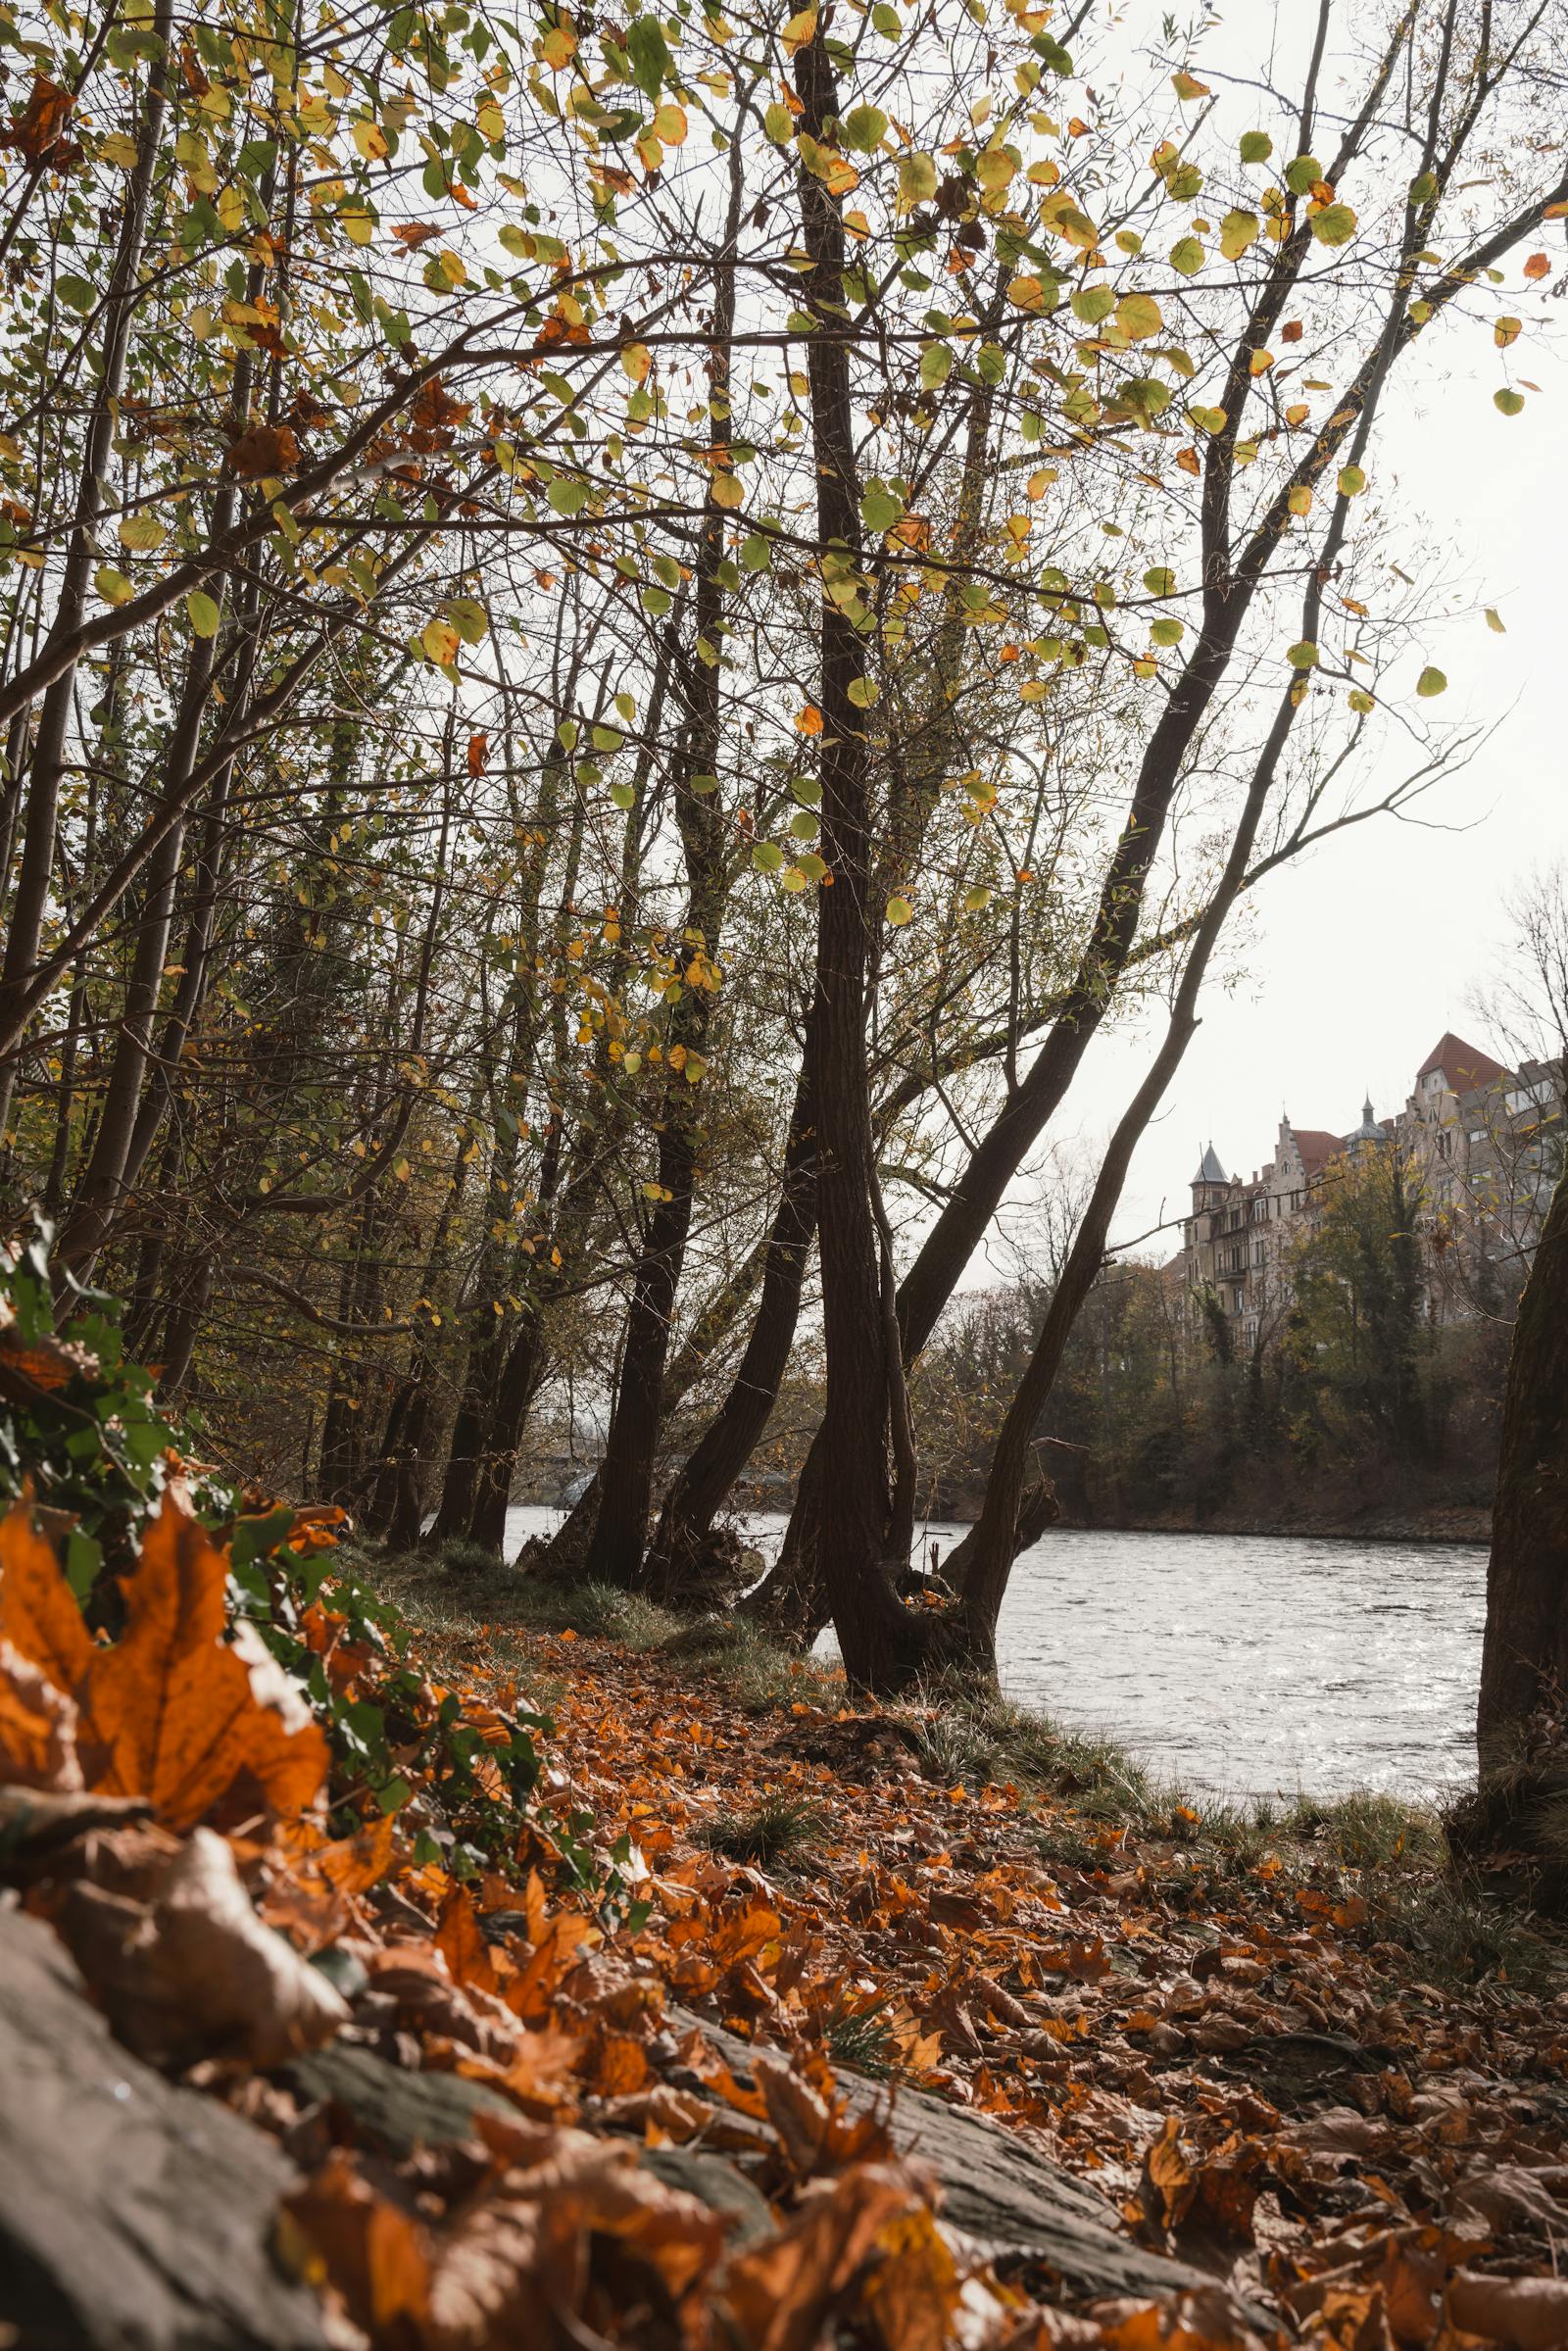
(1242, 1663)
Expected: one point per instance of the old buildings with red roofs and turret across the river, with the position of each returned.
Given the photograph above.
(1485, 1153)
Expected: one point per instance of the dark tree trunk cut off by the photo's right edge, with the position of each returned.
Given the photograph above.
(1525, 1659)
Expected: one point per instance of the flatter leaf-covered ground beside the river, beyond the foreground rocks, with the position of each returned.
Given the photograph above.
(1289, 2049)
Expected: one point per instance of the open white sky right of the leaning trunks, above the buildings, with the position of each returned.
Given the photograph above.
(1365, 953)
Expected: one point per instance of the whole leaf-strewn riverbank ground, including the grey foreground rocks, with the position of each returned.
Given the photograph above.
(779, 2023)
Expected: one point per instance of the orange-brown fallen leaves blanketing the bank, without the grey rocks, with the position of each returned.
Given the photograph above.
(509, 2070)
